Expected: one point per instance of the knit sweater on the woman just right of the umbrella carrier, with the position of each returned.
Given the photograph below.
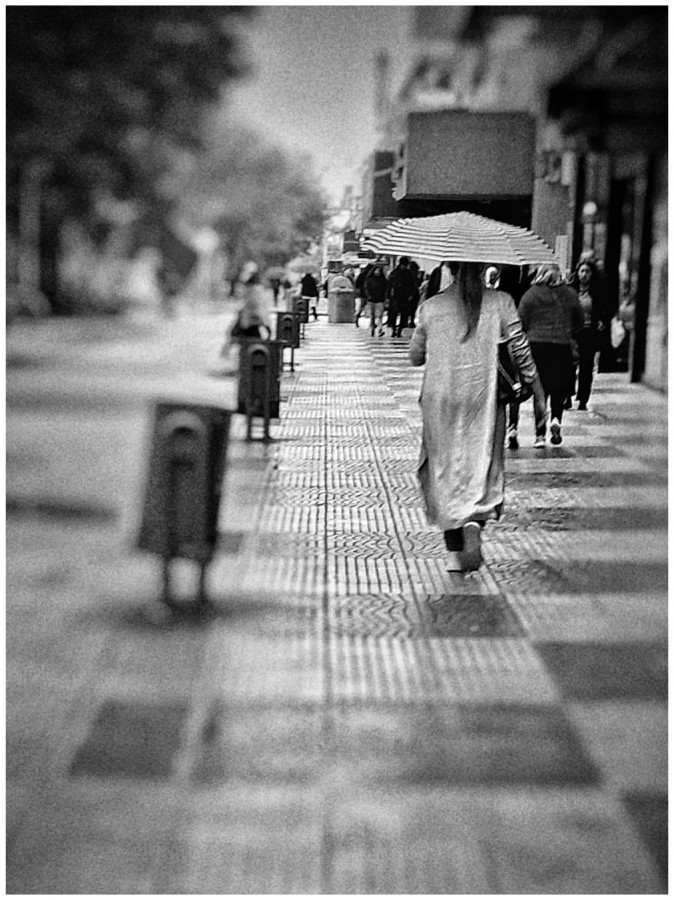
(550, 315)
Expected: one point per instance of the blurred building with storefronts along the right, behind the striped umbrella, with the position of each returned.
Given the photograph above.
(549, 117)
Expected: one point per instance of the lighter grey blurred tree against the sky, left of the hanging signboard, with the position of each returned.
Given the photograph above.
(263, 201)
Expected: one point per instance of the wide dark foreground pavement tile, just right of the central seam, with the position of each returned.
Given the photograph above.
(481, 744)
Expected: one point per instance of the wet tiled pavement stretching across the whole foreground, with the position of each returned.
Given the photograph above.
(350, 717)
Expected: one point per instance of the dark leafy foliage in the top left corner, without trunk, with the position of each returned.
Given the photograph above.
(83, 81)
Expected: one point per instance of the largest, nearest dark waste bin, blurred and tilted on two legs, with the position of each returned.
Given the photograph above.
(183, 487)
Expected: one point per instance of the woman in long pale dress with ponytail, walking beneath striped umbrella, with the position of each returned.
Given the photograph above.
(462, 451)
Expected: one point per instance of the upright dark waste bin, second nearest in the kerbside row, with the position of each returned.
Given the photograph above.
(259, 390)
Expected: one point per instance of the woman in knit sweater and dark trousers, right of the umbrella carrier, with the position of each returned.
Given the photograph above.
(551, 315)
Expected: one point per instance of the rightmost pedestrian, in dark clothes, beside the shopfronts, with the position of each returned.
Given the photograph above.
(587, 281)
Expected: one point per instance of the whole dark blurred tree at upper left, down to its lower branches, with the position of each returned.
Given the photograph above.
(102, 102)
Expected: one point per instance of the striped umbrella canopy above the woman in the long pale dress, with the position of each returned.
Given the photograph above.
(462, 237)
